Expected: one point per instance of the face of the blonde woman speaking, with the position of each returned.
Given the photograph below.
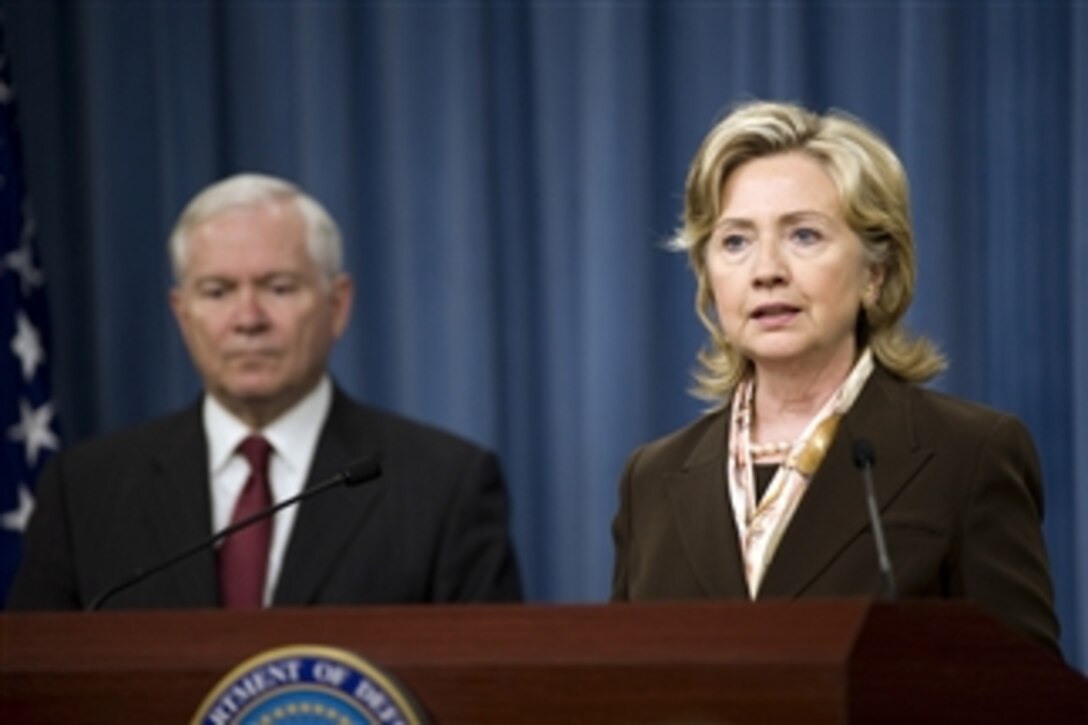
(787, 273)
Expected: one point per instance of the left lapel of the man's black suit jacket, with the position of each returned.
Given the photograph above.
(177, 503)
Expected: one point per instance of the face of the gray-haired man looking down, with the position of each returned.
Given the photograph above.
(258, 316)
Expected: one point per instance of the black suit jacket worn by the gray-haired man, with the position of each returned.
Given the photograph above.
(432, 529)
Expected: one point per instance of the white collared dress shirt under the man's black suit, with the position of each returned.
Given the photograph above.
(294, 440)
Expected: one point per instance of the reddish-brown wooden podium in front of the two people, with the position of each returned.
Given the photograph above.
(849, 661)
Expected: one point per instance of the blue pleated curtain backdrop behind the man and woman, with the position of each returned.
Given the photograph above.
(505, 175)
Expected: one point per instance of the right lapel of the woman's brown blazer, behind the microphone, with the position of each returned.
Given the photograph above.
(833, 511)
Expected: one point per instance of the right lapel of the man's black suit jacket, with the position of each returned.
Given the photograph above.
(326, 524)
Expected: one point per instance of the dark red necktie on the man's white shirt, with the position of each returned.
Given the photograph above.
(244, 557)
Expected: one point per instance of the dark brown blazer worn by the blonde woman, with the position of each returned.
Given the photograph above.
(959, 489)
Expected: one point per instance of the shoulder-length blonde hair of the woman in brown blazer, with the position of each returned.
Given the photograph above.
(875, 198)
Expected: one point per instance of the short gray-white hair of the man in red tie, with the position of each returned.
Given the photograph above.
(323, 236)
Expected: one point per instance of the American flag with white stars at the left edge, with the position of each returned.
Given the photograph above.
(28, 416)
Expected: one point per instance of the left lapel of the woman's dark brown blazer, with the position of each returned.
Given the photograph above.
(703, 514)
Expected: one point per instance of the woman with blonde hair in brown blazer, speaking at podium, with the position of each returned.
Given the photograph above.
(798, 229)
